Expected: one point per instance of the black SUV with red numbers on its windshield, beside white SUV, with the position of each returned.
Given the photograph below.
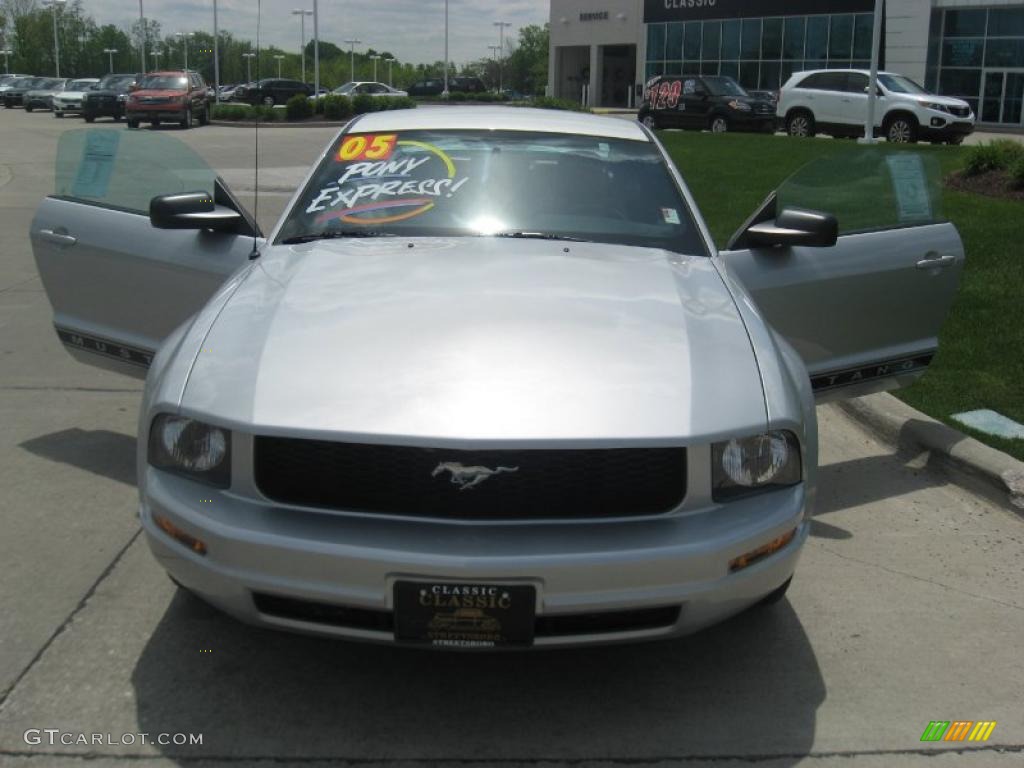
(713, 102)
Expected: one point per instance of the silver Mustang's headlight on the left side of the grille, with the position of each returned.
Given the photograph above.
(192, 449)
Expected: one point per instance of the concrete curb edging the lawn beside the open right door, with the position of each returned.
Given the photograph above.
(994, 474)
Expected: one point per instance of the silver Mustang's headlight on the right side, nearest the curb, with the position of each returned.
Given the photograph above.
(748, 465)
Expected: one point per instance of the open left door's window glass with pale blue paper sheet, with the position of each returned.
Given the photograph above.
(126, 169)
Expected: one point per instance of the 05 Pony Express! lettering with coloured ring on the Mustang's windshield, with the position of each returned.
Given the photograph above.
(386, 180)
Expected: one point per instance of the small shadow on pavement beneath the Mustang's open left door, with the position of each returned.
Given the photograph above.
(104, 453)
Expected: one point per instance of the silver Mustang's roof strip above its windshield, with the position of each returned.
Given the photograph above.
(501, 118)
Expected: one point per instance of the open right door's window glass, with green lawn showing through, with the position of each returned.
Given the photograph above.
(869, 190)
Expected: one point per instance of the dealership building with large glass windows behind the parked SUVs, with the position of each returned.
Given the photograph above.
(604, 51)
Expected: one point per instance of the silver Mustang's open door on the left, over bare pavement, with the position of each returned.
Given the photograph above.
(118, 284)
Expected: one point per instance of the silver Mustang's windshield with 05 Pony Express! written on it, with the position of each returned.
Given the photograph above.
(515, 184)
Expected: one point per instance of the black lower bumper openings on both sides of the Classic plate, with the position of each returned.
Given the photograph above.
(546, 626)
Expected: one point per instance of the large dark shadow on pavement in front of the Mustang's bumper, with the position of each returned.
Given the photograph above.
(750, 687)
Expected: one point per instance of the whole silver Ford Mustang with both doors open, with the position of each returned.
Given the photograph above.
(489, 364)
